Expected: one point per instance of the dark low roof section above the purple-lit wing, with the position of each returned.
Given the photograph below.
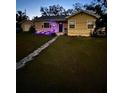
(51, 18)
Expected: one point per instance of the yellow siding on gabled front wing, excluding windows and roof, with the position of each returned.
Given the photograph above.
(81, 28)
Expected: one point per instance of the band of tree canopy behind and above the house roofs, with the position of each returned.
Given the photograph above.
(98, 6)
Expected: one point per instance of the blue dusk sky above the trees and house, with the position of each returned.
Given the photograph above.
(33, 6)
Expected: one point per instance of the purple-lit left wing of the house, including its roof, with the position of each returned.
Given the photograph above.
(51, 24)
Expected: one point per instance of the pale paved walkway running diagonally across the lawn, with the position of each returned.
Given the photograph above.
(31, 56)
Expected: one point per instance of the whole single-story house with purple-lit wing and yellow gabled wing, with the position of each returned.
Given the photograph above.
(78, 24)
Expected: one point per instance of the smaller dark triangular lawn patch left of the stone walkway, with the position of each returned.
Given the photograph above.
(27, 43)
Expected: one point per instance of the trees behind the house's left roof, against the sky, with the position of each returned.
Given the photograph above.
(56, 10)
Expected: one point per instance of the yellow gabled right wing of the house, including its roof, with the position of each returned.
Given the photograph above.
(81, 24)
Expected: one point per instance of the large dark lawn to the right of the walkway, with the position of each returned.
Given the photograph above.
(69, 65)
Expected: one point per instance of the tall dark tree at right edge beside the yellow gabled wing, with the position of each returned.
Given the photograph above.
(100, 8)
